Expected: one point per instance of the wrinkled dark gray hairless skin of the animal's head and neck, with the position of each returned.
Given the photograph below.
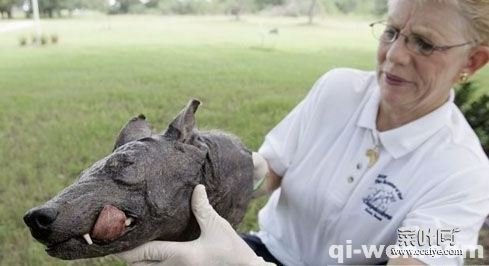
(151, 178)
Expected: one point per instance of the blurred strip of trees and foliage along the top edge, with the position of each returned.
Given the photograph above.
(51, 8)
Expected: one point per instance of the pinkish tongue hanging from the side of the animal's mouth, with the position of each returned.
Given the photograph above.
(110, 224)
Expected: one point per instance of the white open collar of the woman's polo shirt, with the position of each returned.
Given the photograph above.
(402, 140)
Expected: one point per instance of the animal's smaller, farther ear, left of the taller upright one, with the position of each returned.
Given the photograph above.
(136, 128)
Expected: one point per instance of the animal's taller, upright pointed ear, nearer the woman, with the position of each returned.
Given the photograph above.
(182, 127)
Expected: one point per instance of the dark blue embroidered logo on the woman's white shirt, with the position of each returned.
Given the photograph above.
(381, 195)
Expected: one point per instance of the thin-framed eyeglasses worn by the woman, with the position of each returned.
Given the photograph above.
(416, 43)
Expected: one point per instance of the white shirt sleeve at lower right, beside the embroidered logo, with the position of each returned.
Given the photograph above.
(457, 207)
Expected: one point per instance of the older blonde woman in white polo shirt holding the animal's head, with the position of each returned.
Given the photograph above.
(368, 158)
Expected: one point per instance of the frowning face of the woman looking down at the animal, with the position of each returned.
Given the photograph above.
(416, 83)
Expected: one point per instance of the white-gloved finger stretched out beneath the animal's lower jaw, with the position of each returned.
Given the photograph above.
(154, 251)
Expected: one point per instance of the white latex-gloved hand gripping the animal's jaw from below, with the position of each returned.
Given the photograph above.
(218, 243)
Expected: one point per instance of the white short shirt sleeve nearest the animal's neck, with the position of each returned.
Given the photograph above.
(282, 141)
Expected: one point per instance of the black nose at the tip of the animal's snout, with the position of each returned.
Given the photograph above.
(40, 220)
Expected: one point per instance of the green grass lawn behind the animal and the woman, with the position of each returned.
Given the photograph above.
(62, 105)
